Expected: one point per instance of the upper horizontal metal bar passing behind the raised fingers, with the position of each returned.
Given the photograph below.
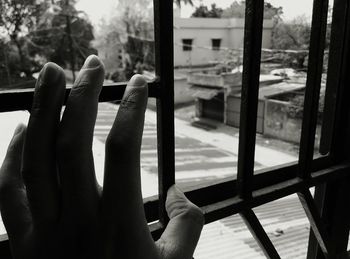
(21, 99)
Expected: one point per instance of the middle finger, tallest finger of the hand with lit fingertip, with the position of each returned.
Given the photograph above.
(74, 145)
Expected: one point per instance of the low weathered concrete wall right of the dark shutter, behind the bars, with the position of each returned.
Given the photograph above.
(279, 124)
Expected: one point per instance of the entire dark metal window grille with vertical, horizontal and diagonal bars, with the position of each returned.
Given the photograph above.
(328, 211)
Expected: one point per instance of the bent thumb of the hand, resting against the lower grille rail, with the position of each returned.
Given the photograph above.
(181, 236)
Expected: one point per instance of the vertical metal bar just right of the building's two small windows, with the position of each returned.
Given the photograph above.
(250, 90)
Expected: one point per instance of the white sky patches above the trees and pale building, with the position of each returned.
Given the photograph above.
(96, 9)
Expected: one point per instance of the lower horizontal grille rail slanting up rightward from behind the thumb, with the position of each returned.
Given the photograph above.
(219, 201)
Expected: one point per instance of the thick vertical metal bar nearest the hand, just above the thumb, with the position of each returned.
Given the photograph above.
(163, 27)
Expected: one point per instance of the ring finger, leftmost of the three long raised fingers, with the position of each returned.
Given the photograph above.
(39, 162)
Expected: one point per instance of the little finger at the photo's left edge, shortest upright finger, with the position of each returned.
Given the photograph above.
(13, 201)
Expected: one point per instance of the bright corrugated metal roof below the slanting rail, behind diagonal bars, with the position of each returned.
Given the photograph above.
(284, 221)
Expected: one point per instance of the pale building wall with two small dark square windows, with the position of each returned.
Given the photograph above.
(203, 30)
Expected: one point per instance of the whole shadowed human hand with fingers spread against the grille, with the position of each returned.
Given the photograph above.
(50, 201)
